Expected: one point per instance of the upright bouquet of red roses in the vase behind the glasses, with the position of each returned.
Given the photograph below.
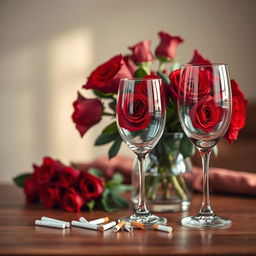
(104, 81)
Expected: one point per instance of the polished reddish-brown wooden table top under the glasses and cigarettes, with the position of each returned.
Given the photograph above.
(19, 235)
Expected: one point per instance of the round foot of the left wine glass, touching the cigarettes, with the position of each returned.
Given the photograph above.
(148, 220)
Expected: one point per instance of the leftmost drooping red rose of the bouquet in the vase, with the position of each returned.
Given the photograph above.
(87, 112)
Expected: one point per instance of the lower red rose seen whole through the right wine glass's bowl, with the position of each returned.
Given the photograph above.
(206, 115)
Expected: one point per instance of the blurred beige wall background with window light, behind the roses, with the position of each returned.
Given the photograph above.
(48, 48)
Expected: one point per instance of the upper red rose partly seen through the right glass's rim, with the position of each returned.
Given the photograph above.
(193, 89)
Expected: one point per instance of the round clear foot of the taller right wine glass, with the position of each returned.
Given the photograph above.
(212, 221)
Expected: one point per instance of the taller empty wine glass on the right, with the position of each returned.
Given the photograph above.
(204, 107)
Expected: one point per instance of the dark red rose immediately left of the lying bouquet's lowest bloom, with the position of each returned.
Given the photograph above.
(49, 196)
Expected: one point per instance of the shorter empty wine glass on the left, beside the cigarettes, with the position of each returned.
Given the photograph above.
(141, 120)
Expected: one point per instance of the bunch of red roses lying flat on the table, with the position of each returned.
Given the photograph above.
(71, 189)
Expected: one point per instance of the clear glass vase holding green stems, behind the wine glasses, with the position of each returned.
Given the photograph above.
(168, 177)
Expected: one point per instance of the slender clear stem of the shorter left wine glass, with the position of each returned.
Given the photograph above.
(142, 208)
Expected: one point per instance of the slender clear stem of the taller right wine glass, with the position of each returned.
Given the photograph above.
(206, 206)
